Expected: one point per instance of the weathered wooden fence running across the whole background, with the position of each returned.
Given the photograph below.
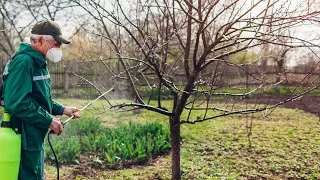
(71, 78)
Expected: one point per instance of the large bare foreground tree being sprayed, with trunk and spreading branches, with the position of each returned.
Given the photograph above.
(167, 45)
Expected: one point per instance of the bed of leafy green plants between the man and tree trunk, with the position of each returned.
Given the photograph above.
(127, 142)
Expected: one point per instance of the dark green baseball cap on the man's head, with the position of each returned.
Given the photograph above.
(48, 27)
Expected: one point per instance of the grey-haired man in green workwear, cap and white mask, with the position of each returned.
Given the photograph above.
(27, 96)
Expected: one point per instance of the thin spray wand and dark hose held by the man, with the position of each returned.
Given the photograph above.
(65, 122)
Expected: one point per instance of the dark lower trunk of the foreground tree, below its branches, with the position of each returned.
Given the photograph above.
(175, 147)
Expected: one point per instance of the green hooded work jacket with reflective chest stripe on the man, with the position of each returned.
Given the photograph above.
(27, 96)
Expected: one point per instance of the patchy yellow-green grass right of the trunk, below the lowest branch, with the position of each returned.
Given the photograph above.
(284, 146)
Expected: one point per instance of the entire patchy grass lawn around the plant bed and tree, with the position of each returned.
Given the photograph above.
(286, 145)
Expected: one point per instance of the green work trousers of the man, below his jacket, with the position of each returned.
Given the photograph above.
(30, 165)
